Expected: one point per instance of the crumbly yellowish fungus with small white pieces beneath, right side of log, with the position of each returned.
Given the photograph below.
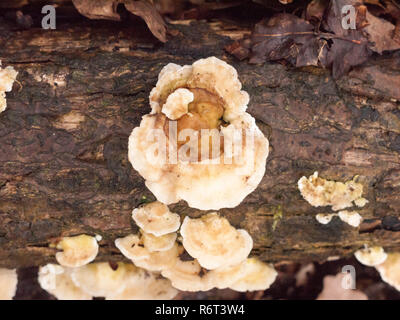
(321, 192)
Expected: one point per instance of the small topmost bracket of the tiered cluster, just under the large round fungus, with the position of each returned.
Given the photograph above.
(155, 218)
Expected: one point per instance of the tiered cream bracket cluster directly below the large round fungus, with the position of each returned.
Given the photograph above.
(209, 254)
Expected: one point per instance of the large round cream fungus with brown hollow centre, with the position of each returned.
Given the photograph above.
(198, 144)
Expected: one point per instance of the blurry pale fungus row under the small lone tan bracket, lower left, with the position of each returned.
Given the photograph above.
(121, 281)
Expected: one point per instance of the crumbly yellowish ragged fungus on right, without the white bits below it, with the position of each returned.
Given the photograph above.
(320, 192)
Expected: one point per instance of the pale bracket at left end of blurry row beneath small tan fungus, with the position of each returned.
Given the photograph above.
(57, 281)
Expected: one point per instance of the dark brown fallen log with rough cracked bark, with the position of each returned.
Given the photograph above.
(84, 87)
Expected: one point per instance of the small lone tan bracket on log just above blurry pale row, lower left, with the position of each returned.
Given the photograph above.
(76, 251)
